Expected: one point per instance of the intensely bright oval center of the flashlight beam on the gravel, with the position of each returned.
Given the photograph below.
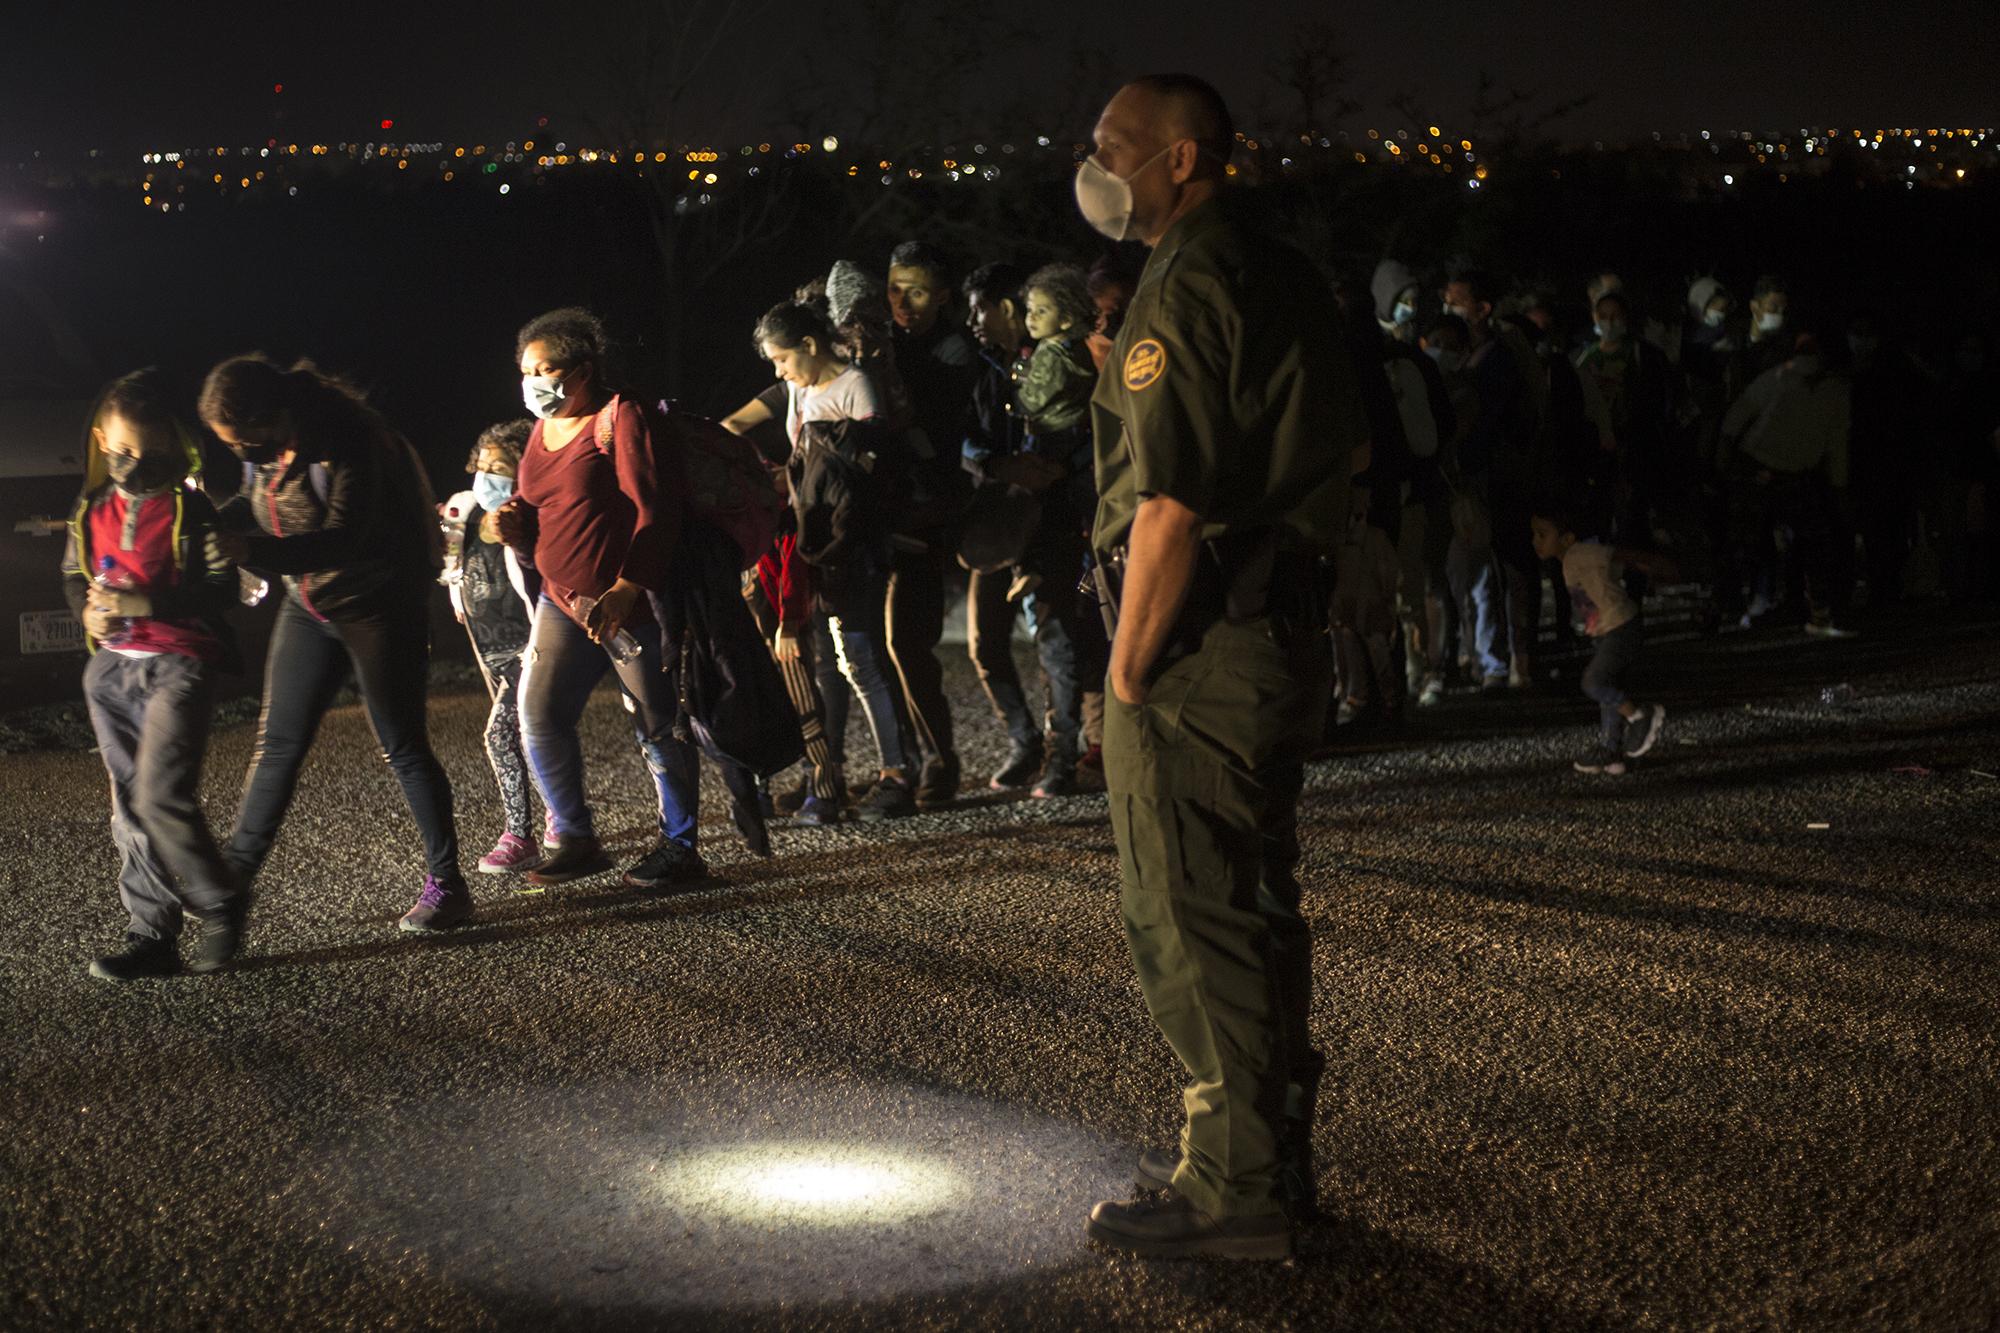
(811, 1184)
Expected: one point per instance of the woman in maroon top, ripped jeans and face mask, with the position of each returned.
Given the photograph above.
(597, 513)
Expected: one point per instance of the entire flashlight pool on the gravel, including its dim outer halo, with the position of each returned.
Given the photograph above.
(719, 1196)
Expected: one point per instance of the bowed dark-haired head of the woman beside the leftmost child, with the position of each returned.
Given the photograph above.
(261, 409)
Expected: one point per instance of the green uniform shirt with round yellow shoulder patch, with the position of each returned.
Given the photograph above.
(1229, 389)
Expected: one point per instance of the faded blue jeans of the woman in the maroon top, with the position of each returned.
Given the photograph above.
(559, 672)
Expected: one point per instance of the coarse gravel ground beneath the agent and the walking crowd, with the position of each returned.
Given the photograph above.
(1603, 1054)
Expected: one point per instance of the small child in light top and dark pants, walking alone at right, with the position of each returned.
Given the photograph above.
(1613, 621)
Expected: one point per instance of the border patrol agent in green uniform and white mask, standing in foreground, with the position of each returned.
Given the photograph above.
(1225, 423)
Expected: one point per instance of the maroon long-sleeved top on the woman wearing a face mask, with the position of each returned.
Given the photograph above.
(607, 507)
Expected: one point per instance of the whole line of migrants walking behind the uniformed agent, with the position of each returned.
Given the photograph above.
(929, 427)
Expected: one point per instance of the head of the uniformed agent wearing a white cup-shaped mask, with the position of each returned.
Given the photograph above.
(1163, 147)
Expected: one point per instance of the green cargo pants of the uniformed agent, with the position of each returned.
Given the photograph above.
(1205, 784)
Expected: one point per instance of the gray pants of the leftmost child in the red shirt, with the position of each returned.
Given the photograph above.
(153, 718)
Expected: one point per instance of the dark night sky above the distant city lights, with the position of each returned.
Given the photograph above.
(167, 75)
